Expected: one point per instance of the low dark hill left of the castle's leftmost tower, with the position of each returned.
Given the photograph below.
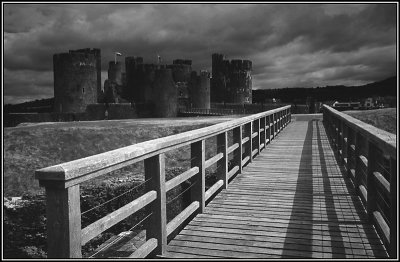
(37, 106)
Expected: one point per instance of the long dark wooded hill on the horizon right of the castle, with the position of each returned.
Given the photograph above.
(387, 87)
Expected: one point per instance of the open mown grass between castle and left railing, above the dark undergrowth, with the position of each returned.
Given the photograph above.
(33, 146)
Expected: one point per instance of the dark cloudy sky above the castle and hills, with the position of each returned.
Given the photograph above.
(291, 45)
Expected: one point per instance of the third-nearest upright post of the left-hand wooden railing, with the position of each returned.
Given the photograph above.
(198, 182)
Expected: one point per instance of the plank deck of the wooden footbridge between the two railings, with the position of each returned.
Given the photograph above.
(292, 201)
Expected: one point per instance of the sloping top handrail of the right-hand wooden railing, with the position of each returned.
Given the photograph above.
(382, 139)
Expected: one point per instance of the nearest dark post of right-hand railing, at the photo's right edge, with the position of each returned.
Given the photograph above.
(393, 208)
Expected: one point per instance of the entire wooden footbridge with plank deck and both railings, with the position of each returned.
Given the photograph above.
(288, 188)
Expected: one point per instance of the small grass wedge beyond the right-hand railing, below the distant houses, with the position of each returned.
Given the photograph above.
(381, 118)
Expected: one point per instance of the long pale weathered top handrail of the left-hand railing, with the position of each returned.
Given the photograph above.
(86, 166)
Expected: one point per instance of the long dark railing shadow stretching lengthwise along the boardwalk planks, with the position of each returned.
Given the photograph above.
(304, 200)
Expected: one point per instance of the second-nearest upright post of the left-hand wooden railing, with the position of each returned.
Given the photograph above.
(154, 169)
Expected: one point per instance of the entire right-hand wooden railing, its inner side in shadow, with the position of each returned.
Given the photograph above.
(369, 156)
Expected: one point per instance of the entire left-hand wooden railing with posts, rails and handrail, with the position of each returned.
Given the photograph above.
(65, 236)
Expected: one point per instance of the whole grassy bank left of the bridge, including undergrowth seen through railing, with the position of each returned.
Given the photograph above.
(30, 147)
